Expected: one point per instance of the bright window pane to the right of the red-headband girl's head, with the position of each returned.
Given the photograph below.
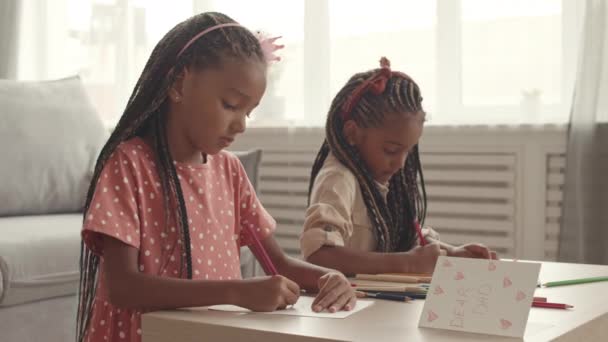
(516, 46)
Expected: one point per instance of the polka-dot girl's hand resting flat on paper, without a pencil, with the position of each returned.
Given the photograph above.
(335, 293)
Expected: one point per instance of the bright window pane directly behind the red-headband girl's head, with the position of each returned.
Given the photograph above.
(403, 31)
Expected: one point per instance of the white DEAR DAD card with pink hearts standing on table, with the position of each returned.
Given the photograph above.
(480, 296)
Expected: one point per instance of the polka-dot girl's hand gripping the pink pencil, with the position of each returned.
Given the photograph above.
(268, 293)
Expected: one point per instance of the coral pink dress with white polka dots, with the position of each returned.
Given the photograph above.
(128, 206)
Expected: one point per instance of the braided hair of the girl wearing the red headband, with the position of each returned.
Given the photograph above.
(392, 219)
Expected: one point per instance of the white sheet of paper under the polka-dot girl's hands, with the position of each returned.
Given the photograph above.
(301, 308)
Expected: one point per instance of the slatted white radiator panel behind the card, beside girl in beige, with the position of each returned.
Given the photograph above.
(471, 197)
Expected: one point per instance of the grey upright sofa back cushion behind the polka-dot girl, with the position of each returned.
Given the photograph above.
(50, 137)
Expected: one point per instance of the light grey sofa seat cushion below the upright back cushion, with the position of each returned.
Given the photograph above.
(38, 257)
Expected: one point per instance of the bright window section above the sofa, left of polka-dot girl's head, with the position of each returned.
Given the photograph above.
(106, 42)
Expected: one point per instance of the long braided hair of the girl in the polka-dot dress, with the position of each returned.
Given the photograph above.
(145, 115)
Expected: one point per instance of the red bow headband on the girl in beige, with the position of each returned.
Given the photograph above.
(375, 84)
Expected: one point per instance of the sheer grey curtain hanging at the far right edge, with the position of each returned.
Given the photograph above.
(584, 231)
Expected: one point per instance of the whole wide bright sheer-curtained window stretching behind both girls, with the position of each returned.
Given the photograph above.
(477, 61)
